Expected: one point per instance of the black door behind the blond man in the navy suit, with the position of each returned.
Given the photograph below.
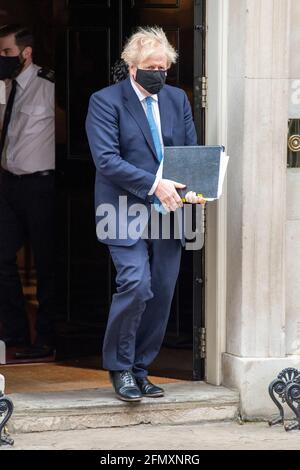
(89, 39)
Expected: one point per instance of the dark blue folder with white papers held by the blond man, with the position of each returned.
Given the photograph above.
(199, 167)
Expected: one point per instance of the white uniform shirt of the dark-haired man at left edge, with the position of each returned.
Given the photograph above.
(30, 140)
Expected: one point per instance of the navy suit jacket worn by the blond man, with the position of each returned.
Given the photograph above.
(123, 149)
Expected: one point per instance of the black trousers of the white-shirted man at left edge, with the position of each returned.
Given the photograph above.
(27, 213)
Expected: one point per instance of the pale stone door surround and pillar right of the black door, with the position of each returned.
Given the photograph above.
(255, 36)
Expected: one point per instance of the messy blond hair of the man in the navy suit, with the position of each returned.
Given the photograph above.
(146, 42)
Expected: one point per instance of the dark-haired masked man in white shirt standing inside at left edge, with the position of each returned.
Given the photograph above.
(27, 149)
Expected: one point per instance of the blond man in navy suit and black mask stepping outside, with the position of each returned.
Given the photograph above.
(128, 125)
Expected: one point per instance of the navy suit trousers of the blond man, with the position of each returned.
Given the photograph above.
(146, 277)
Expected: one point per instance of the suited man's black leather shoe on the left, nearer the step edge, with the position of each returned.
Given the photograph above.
(125, 385)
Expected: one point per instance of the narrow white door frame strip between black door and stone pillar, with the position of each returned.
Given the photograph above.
(216, 228)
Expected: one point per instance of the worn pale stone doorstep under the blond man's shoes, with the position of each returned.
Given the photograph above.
(184, 402)
